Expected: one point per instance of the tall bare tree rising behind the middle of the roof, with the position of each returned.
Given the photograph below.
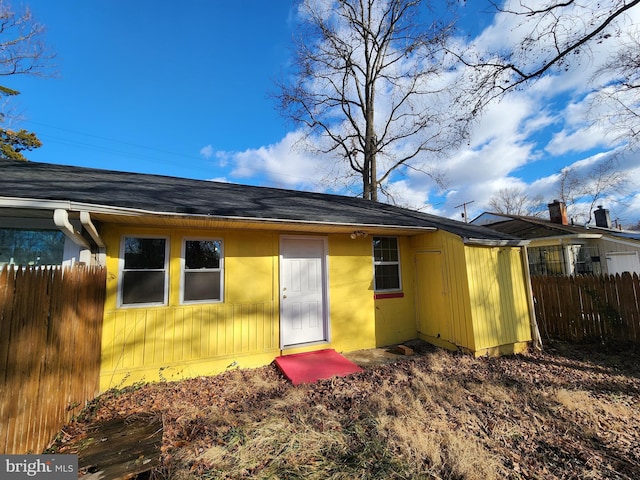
(369, 88)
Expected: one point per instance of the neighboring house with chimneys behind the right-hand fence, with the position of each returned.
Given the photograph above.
(559, 248)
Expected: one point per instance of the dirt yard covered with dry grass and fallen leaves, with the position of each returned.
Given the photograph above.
(566, 412)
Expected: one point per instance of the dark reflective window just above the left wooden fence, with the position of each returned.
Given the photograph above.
(31, 247)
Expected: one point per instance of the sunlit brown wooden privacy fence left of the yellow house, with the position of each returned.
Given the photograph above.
(50, 335)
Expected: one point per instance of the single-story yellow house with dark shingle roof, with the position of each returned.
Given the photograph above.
(203, 276)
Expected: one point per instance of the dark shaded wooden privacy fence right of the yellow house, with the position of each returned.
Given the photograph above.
(588, 307)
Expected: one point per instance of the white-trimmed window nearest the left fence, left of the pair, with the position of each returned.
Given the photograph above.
(144, 271)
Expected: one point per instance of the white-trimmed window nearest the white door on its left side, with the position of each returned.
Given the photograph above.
(202, 271)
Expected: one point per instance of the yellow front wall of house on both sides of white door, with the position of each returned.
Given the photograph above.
(141, 344)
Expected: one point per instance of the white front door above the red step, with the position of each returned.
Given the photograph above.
(303, 310)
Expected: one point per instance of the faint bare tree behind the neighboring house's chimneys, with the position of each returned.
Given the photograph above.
(582, 189)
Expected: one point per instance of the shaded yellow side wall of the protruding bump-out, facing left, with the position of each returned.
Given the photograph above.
(442, 293)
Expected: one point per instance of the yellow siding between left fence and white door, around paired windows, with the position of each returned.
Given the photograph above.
(180, 341)
